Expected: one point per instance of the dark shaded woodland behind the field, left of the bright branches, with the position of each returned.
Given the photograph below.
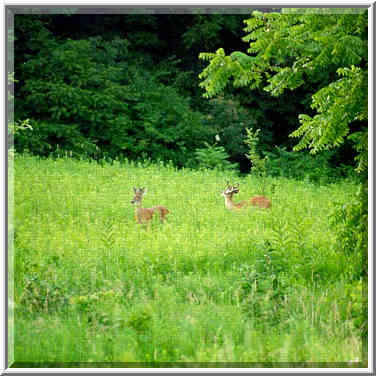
(96, 85)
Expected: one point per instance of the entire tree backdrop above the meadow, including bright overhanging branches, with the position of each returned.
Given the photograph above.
(127, 85)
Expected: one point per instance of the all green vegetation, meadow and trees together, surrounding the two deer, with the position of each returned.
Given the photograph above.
(101, 103)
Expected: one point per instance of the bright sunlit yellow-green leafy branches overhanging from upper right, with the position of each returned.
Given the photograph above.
(287, 51)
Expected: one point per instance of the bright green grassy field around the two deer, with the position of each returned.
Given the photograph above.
(209, 285)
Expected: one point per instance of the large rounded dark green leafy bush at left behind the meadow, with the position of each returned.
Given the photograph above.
(112, 100)
